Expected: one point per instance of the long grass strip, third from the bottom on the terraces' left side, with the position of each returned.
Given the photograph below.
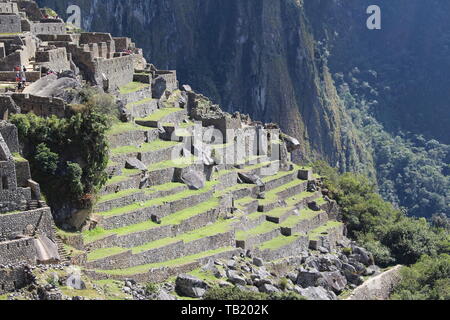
(173, 219)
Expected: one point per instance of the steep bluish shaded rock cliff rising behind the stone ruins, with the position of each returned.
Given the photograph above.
(255, 57)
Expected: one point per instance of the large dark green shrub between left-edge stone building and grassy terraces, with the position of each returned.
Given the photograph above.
(68, 157)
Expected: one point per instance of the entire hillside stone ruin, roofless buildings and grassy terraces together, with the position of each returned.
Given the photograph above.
(187, 181)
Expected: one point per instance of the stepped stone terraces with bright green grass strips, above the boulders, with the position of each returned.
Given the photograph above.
(152, 232)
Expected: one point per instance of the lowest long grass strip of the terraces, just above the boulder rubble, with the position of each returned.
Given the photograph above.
(171, 263)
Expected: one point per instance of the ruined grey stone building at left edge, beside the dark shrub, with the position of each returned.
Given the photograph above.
(26, 224)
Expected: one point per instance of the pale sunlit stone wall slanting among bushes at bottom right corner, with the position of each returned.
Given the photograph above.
(379, 287)
